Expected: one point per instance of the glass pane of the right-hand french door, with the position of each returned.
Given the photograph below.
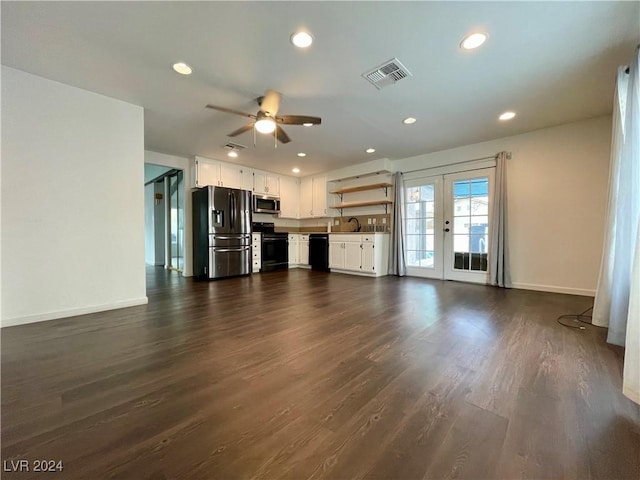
(470, 224)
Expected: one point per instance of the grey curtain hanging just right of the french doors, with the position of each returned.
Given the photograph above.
(499, 272)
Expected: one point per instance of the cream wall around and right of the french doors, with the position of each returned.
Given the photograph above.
(557, 189)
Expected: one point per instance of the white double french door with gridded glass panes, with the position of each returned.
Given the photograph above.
(447, 225)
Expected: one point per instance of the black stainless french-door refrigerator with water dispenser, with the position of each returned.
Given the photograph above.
(221, 232)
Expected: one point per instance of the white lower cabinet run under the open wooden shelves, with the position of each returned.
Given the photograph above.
(361, 254)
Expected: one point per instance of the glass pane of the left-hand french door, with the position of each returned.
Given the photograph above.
(420, 225)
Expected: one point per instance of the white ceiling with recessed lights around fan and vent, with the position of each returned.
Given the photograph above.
(552, 63)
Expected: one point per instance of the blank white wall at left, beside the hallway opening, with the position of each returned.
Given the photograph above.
(72, 201)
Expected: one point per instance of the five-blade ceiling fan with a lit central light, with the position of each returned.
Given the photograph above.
(266, 120)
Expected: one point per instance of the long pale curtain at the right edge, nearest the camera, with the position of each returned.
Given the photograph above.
(617, 296)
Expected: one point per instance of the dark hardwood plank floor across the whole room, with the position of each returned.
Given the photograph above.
(304, 374)
